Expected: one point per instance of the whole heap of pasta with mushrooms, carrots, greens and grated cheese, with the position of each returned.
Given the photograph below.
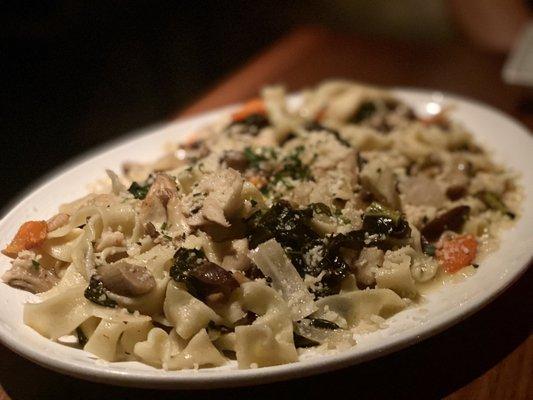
(281, 230)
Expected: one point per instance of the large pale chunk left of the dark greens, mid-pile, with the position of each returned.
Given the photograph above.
(222, 201)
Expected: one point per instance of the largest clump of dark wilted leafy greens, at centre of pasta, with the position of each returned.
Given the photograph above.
(292, 229)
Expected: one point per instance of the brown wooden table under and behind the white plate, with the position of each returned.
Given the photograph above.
(487, 356)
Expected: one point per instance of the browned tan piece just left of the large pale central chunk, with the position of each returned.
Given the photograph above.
(154, 206)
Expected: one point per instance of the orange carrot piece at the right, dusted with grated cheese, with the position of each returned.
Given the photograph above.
(457, 253)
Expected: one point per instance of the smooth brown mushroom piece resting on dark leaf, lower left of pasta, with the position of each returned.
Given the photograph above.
(126, 279)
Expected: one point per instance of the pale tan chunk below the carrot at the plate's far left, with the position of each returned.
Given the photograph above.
(26, 273)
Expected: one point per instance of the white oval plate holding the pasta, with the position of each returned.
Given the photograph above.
(510, 142)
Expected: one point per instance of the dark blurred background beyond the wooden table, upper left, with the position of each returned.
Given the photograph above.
(76, 74)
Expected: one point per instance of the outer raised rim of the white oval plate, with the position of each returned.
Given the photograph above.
(205, 379)
